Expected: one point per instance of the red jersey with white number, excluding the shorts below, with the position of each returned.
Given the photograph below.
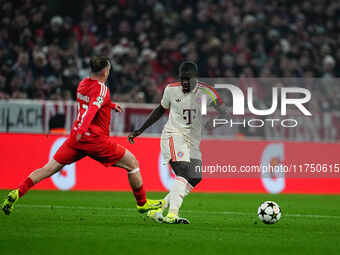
(93, 110)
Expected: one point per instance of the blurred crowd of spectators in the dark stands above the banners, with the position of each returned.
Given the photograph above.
(44, 55)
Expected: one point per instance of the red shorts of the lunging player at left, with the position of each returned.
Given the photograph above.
(103, 150)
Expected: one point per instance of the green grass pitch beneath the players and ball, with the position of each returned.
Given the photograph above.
(56, 222)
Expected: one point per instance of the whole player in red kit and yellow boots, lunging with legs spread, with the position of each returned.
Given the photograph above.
(90, 137)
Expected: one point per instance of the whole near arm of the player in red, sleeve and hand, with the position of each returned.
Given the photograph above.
(97, 96)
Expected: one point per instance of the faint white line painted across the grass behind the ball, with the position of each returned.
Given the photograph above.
(186, 211)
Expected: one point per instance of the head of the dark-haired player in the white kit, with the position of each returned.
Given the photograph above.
(188, 74)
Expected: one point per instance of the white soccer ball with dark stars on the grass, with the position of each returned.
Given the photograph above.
(269, 212)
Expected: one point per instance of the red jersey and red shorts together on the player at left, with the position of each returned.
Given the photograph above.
(92, 122)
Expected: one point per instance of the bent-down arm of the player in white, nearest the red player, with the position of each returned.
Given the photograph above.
(154, 116)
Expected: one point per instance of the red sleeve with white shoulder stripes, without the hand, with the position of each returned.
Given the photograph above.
(97, 97)
